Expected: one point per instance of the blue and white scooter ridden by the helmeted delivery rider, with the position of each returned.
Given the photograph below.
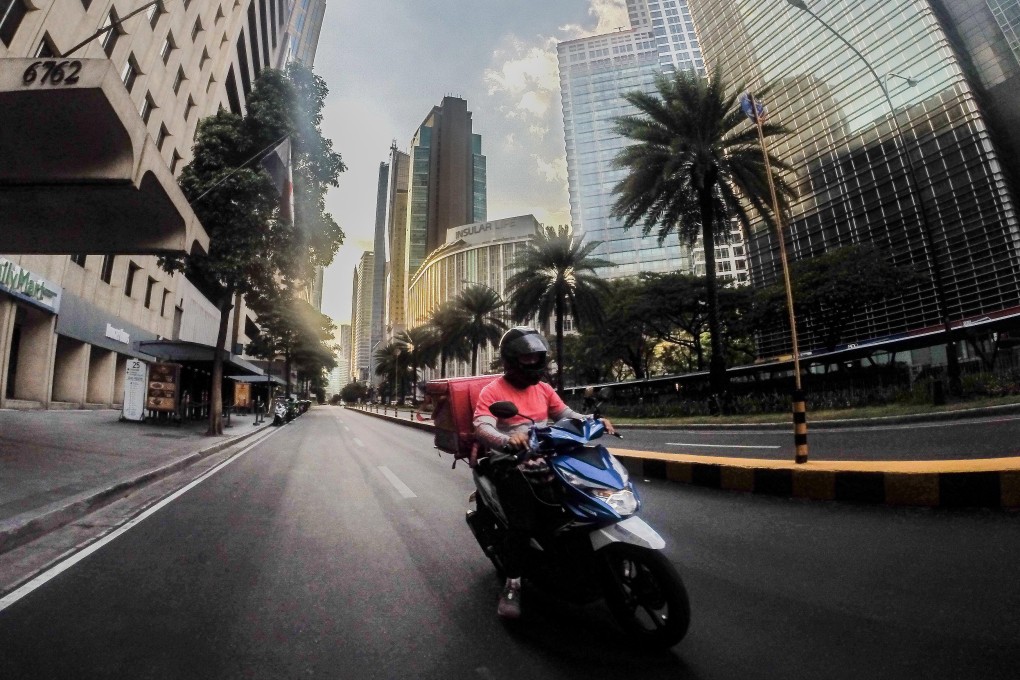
(591, 545)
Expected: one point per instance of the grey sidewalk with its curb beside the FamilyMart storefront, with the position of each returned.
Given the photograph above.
(58, 466)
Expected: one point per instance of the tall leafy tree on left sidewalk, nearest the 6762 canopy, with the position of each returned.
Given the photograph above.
(254, 248)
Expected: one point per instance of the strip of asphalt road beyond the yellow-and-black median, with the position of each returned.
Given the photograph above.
(971, 439)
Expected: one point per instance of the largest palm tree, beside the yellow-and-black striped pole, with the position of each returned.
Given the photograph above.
(695, 160)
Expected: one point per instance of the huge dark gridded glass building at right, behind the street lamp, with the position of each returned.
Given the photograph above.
(853, 182)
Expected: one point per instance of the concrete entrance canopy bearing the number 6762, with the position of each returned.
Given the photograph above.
(79, 173)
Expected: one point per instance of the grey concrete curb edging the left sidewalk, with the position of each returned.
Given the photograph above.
(24, 529)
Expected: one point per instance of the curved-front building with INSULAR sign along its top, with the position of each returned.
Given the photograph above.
(478, 253)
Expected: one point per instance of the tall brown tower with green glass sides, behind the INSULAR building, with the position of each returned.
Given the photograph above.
(447, 181)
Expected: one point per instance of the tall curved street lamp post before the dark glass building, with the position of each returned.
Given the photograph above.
(937, 276)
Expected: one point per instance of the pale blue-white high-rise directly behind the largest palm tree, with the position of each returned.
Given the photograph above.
(595, 73)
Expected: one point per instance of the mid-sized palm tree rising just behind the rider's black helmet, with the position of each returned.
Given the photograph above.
(556, 274)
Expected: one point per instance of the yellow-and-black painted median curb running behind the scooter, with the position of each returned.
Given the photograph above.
(824, 482)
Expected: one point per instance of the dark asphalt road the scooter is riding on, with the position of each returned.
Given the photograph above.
(337, 549)
